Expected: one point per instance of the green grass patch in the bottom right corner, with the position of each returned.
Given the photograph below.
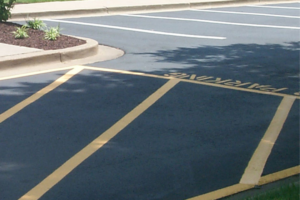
(285, 192)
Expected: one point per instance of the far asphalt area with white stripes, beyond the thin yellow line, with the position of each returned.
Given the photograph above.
(253, 48)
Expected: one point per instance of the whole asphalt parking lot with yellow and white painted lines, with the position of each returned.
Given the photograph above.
(202, 100)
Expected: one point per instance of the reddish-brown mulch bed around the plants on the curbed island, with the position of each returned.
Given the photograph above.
(36, 38)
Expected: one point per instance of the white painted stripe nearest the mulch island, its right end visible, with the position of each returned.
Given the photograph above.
(138, 30)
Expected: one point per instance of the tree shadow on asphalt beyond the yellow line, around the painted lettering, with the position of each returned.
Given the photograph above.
(270, 64)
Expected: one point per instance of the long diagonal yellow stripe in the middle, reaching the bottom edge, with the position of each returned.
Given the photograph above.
(91, 148)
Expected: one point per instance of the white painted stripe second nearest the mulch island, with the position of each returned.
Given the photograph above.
(214, 22)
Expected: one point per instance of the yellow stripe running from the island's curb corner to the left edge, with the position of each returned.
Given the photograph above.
(10, 112)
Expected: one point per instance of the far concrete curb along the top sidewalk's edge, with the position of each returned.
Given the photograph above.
(111, 10)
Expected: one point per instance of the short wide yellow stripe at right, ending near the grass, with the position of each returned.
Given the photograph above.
(257, 163)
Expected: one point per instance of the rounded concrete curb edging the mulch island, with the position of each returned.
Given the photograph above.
(43, 57)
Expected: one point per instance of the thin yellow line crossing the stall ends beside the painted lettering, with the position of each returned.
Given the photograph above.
(193, 81)
